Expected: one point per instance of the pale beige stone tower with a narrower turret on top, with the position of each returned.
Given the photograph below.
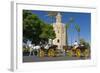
(60, 31)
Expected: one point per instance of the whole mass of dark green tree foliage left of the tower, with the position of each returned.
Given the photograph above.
(35, 29)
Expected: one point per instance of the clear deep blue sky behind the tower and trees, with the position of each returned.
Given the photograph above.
(82, 19)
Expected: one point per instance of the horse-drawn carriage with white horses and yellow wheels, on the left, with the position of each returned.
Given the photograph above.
(40, 51)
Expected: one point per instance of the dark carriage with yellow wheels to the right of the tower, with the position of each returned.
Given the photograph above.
(79, 51)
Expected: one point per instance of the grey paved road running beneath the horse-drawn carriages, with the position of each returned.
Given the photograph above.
(39, 59)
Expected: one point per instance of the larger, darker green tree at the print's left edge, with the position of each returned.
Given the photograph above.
(32, 28)
